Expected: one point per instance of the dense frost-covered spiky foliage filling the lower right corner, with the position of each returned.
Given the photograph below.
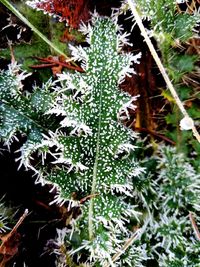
(166, 194)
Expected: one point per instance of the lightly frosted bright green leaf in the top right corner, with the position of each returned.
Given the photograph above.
(166, 21)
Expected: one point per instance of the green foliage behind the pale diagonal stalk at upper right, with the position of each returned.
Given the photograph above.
(172, 28)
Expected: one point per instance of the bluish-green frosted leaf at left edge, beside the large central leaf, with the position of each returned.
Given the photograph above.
(23, 113)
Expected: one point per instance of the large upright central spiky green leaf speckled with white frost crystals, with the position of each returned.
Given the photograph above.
(92, 105)
